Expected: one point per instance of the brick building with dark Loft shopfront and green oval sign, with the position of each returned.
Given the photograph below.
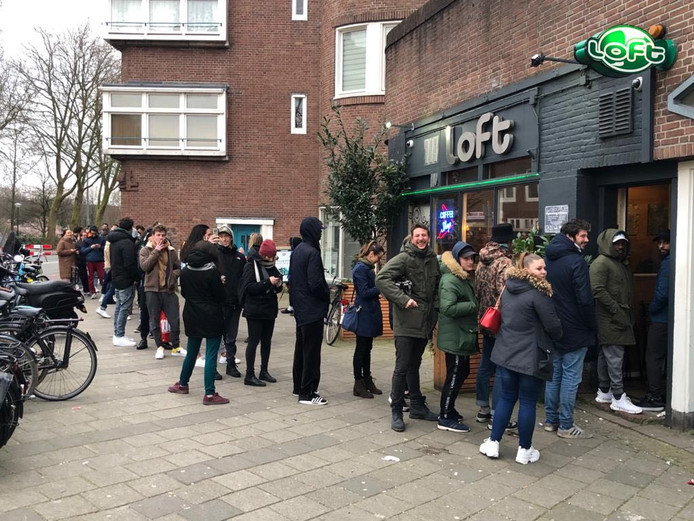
(493, 139)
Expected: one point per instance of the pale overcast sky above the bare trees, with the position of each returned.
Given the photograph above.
(18, 18)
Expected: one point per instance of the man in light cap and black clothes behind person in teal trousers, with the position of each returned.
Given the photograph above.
(232, 268)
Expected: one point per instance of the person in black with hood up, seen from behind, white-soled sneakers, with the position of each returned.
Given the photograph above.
(310, 297)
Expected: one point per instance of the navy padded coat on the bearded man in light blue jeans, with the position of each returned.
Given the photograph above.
(567, 272)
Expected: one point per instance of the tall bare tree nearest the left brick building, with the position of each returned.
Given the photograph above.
(65, 73)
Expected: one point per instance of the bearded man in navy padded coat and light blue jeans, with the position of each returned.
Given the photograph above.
(573, 299)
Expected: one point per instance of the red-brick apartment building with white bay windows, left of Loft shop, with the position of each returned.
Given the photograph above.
(216, 116)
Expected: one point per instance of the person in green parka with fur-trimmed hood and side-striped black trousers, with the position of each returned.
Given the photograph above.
(457, 334)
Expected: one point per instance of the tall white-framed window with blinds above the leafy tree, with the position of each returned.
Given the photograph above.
(360, 59)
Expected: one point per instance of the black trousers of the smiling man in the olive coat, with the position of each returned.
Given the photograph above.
(408, 358)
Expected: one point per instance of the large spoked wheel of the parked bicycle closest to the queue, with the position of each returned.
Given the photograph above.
(66, 377)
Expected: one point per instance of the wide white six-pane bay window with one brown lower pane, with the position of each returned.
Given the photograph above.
(164, 121)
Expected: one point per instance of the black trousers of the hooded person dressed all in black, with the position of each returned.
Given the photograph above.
(307, 350)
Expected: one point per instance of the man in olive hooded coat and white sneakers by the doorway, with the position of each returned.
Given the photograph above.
(611, 280)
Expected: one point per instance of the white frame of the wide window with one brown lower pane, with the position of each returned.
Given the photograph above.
(181, 146)
